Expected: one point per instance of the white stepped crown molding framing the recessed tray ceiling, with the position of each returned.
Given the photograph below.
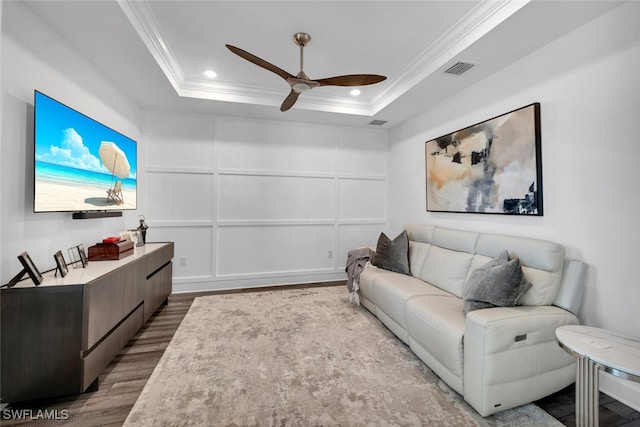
(487, 15)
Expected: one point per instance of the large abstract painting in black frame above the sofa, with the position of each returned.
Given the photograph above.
(490, 167)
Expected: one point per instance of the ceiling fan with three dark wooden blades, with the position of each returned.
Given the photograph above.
(301, 82)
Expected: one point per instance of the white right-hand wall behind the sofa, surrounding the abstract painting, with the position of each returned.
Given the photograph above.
(588, 85)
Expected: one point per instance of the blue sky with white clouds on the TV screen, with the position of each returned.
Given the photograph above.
(67, 138)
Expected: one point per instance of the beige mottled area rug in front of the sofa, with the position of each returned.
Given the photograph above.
(299, 357)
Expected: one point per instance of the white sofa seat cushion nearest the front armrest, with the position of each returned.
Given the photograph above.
(436, 323)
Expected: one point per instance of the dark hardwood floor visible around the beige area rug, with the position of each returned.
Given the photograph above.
(125, 377)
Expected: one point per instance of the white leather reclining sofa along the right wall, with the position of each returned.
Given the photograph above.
(496, 358)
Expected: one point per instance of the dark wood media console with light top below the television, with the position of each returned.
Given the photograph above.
(58, 337)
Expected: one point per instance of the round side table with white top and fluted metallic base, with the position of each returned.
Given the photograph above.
(597, 348)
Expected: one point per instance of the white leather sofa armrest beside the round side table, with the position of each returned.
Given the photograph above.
(511, 356)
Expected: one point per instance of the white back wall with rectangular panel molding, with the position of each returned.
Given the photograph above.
(255, 203)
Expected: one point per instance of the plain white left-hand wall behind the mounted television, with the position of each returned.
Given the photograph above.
(33, 57)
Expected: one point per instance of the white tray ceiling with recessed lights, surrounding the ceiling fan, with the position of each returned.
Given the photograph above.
(158, 51)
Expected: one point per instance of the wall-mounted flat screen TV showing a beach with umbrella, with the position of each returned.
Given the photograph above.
(81, 165)
